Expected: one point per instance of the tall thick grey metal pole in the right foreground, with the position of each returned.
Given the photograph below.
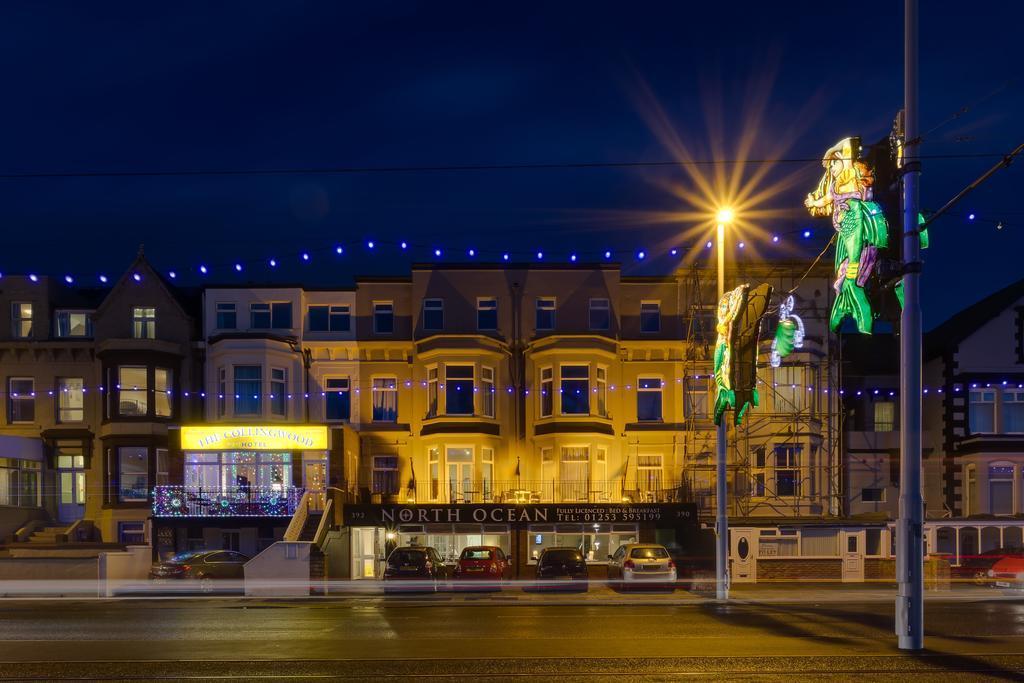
(910, 552)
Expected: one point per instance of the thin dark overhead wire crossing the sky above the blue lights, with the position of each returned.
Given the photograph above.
(357, 170)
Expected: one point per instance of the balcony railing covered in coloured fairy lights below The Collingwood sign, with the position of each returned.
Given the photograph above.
(232, 502)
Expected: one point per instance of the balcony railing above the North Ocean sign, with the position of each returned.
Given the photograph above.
(534, 492)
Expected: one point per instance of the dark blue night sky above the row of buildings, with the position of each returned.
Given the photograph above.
(192, 87)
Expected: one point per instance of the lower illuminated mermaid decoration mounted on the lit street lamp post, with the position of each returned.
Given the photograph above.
(739, 326)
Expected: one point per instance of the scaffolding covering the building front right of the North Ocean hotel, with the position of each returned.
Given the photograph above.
(785, 460)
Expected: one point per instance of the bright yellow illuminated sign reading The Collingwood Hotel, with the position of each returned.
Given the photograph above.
(254, 438)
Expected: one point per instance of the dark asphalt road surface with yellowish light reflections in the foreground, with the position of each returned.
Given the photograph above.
(437, 637)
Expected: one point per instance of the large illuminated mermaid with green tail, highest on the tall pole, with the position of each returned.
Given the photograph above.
(845, 195)
